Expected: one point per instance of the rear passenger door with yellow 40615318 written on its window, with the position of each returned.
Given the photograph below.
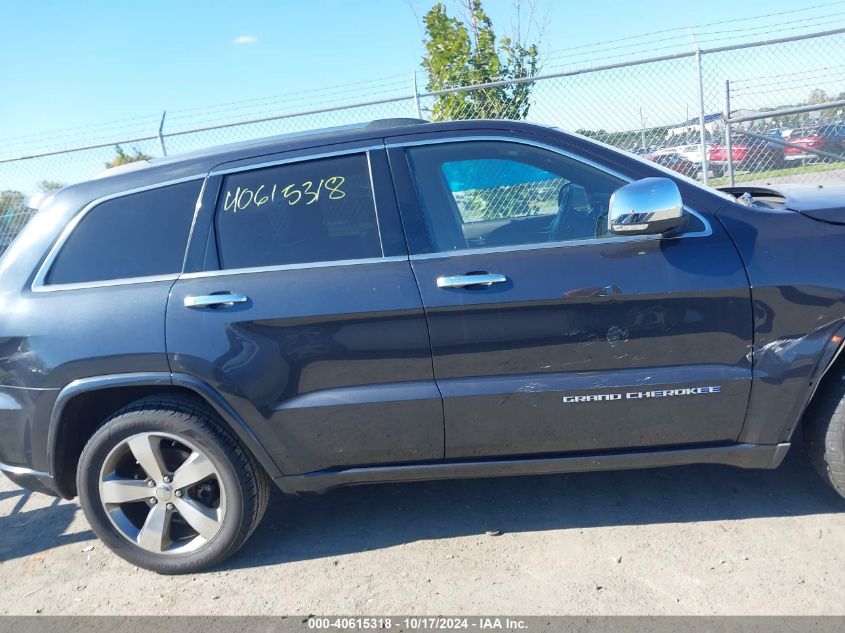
(304, 313)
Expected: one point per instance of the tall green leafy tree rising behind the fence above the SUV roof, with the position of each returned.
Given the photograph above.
(466, 52)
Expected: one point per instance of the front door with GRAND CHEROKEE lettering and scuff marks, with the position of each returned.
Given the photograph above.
(548, 334)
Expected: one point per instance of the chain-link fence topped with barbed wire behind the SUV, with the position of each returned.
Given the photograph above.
(763, 112)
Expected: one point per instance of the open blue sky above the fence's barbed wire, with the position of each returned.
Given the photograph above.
(70, 64)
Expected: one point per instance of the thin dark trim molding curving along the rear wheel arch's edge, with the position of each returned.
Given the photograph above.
(163, 379)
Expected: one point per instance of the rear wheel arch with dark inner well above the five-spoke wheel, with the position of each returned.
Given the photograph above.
(82, 405)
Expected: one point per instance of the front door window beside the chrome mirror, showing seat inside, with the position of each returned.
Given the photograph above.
(478, 194)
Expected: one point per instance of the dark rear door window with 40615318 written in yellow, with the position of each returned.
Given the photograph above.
(310, 211)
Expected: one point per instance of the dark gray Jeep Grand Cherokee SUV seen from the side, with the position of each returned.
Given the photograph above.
(399, 301)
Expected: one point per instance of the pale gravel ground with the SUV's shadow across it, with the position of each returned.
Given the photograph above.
(690, 540)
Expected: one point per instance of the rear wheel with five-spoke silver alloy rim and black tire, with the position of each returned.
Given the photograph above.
(167, 487)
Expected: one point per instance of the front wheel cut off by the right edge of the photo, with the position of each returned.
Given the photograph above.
(824, 432)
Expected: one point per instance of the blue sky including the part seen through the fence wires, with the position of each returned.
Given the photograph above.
(94, 72)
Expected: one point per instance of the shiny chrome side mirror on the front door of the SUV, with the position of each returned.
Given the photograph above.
(647, 206)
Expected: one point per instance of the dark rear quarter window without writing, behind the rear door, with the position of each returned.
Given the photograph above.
(137, 235)
